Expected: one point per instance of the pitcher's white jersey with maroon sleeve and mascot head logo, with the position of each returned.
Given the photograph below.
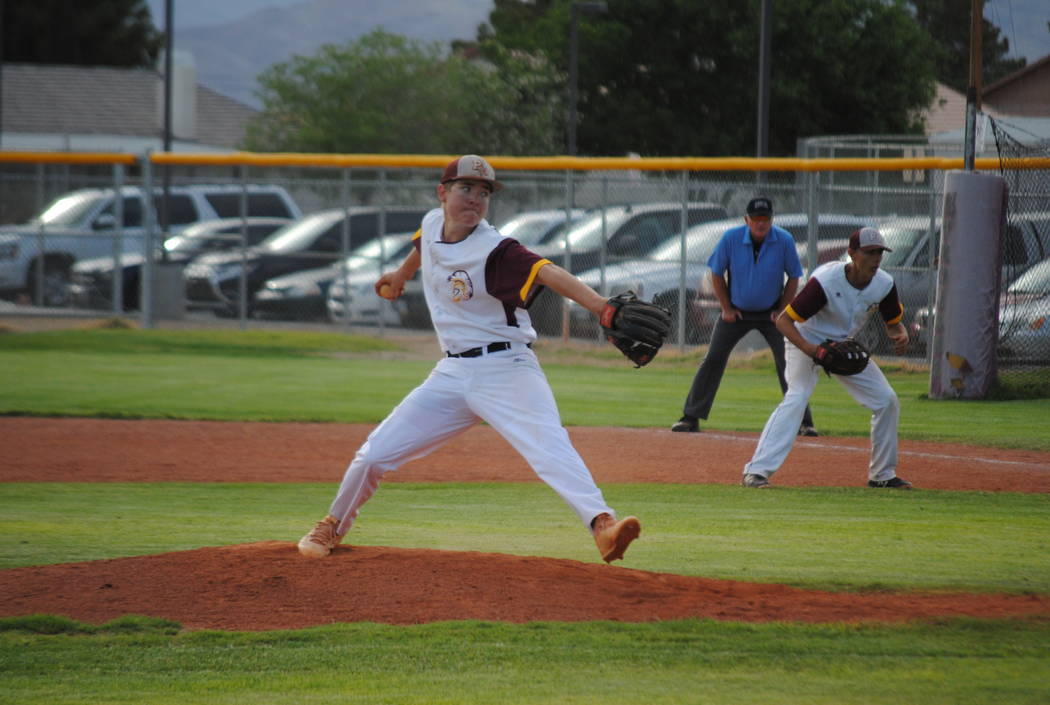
(477, 288)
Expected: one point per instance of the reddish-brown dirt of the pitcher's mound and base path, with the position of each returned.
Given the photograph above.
(268, 586)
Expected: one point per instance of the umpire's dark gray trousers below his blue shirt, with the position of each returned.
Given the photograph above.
(724, 339)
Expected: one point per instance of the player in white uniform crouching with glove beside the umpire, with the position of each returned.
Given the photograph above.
(834, 305)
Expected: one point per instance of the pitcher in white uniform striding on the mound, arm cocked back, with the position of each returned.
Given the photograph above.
(477, 285)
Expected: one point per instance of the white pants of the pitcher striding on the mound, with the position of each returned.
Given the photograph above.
(508, 390)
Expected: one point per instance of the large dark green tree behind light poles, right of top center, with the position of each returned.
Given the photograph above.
(680, 77)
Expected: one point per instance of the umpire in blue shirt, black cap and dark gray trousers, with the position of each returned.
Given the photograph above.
(748, 269)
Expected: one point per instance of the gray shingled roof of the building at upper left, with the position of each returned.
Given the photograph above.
(49, 107)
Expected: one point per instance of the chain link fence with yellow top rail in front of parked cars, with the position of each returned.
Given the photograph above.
(644, 225)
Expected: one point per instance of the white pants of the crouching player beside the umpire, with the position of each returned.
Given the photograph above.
(870, 389)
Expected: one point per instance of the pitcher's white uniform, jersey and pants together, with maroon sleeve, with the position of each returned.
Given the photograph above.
(476, 289)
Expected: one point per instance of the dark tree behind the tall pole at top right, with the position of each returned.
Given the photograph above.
(949, 24)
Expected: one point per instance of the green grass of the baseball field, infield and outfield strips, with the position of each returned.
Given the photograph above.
(844, 540)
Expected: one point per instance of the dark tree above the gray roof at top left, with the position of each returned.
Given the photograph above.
(101, 33)
